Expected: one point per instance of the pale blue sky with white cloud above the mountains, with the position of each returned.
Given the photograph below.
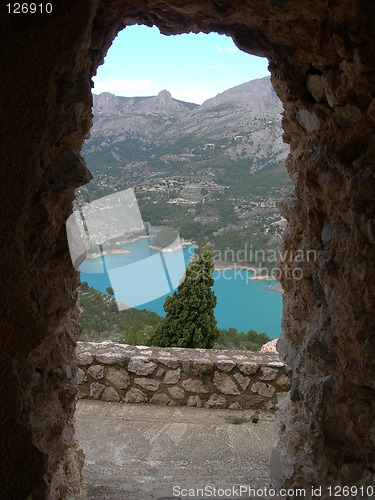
(193, 67)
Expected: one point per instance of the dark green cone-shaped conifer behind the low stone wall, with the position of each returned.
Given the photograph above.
(190, 320)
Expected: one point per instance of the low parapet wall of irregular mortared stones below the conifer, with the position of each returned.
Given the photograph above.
(181, 377)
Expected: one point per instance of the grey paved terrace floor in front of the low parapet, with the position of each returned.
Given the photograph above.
(141, 452)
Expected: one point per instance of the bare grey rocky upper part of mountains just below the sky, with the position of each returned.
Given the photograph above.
(250, 112)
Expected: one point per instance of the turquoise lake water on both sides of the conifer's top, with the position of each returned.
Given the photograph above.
(241, 302)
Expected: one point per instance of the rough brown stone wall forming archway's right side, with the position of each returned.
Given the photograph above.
(326, 426)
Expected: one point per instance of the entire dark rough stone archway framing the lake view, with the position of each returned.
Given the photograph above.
(322, 63)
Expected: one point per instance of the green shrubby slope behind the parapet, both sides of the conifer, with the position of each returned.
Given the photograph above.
(101, 320)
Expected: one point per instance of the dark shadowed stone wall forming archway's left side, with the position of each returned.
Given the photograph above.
(45, 114)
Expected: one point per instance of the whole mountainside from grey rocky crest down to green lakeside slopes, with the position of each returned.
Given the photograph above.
(213, 172)
